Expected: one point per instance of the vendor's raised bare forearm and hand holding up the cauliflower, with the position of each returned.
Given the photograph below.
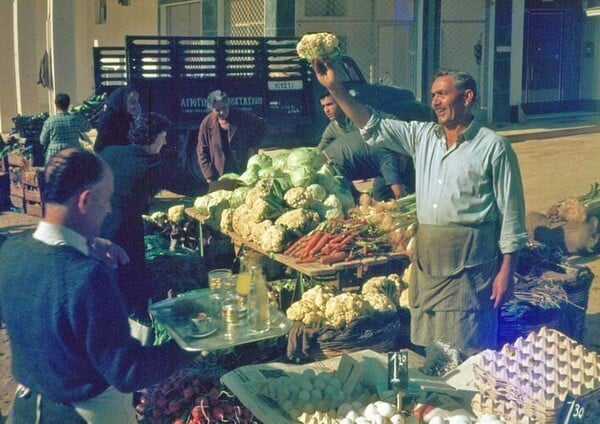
(358, 113)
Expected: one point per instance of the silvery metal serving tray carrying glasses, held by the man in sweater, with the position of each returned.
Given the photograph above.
(180, 327)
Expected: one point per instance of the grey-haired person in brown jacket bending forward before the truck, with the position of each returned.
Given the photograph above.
(227, 137)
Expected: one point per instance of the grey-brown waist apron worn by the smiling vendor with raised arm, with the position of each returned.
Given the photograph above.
(453, 271)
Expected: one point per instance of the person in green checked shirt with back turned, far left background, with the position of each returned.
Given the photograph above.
(63, 129)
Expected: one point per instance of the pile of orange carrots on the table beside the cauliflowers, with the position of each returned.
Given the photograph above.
(339, 241)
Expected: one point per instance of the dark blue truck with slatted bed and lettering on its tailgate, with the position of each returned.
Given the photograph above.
(261, 75)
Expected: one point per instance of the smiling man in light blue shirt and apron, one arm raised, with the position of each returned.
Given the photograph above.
(470, 209)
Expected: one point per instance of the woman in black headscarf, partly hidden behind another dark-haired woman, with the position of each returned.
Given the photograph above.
(122, 106)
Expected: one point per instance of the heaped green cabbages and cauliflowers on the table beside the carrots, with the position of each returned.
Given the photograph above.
(282, 197)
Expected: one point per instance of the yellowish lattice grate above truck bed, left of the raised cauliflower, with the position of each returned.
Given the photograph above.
(244, 18)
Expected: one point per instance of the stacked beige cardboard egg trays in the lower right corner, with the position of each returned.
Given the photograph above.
(527, 381)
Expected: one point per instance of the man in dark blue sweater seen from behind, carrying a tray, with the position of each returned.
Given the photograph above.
(72, 352)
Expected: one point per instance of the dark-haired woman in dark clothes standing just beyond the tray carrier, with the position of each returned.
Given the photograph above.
(138, 172)
